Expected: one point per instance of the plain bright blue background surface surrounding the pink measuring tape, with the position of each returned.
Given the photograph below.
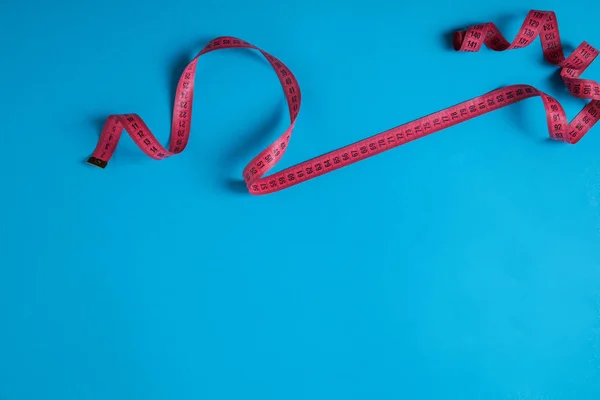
(465, 265)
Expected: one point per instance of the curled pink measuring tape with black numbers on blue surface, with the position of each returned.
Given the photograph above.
(542, 23)
